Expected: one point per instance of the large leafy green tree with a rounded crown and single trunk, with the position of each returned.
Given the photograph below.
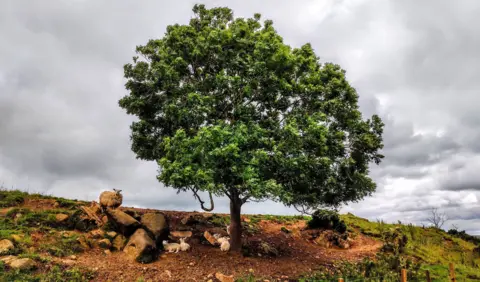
(225, 107)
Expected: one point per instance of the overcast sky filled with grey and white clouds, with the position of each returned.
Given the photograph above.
(415, 63)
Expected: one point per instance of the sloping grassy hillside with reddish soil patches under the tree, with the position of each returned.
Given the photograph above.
(60, 249)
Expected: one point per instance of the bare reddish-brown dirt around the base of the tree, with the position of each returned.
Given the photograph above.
(298, 256)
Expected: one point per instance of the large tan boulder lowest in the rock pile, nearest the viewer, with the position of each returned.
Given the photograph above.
(141, 247)
